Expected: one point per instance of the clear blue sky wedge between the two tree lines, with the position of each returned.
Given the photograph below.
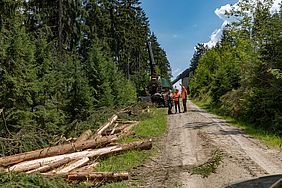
(181, 24)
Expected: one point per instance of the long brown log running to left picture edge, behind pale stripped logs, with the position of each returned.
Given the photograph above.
(55, 150)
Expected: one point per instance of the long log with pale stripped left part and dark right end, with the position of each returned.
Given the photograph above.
(107, 151)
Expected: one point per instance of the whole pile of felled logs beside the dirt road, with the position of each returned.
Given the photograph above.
(76, 160)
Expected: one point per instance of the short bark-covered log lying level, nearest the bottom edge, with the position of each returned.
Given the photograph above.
(98, 176)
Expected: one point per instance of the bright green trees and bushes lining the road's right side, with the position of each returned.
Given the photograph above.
(242, 75)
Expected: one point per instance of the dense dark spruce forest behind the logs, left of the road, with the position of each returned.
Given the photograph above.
(63, 63)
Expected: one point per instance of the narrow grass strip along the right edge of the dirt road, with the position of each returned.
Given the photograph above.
(269, 138)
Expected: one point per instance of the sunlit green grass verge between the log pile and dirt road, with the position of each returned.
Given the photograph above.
(152, 127)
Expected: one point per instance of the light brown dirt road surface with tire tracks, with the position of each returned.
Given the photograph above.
(190, 141)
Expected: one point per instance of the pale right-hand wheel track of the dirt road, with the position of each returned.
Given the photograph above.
(268, 161)
